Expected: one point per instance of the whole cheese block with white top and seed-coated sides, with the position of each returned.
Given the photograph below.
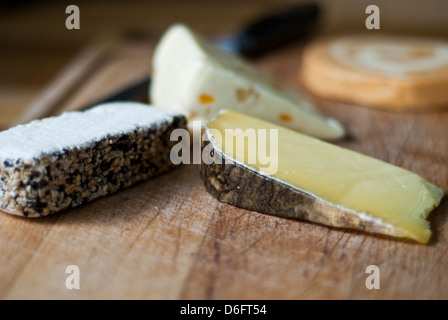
(57, 163)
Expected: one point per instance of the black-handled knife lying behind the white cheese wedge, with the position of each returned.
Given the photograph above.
(258, 38)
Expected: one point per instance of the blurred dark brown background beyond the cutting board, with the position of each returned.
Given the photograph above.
(35, 44)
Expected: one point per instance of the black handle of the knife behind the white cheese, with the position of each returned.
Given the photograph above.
(275, 30)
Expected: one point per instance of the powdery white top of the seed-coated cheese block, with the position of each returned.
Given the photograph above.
(75, 128)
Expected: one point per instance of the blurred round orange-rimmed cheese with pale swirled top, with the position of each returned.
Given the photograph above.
(395, 73)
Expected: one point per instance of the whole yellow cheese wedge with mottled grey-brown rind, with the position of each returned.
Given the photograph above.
(313, 180)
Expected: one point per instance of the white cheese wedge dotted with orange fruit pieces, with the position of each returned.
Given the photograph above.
(197, 79)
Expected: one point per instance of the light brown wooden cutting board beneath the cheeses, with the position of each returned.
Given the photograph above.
(169, 239)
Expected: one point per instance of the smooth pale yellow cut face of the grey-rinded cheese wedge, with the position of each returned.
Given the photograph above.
(339, 176)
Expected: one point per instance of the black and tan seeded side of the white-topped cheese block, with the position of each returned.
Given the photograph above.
(62, 180)
